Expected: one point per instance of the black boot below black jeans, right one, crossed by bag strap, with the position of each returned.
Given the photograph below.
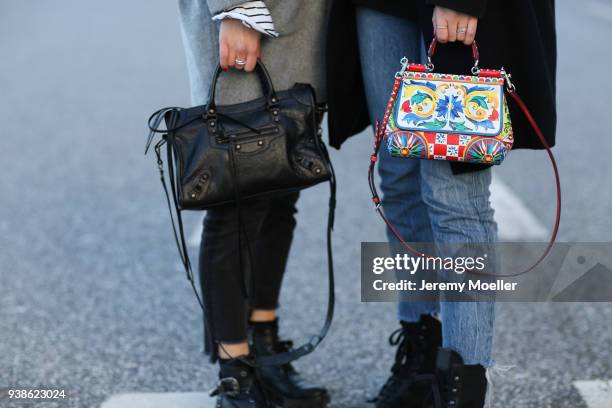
(282, 384)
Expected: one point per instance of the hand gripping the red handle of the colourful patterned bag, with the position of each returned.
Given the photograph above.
(450, 25)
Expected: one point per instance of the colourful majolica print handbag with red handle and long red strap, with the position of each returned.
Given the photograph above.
(459, 118)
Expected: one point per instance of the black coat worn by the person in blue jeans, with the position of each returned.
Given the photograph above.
(516, 34)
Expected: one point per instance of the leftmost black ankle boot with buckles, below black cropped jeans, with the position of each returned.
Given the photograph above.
(238, 386)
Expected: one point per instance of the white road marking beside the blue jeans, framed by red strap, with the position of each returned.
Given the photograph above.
(514, 219)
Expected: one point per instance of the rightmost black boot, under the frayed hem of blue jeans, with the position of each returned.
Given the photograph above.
(458, 385)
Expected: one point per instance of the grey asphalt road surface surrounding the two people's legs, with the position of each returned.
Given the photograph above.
(92, 298)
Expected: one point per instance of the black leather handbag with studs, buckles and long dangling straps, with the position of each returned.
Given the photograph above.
(224, 155)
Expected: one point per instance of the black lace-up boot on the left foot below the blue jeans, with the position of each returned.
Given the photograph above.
(414, 367)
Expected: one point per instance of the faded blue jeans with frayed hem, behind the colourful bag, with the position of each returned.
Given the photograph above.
(424, 200)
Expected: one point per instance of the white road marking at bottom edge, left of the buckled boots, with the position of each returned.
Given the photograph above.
(160, 400)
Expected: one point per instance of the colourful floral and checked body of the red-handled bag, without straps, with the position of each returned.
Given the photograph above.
(450, 117)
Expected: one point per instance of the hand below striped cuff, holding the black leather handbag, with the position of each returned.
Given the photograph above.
(239, 46)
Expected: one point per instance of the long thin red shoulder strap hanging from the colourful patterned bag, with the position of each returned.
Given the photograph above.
(379, 135)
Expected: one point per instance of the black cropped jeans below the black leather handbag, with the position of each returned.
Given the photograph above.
(234, 282)
